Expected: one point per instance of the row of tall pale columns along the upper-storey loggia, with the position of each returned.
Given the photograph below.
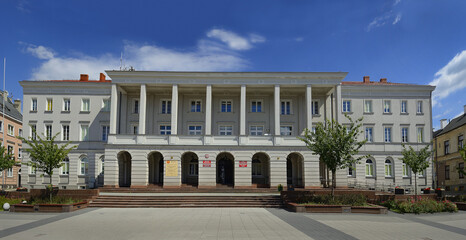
(208, 109)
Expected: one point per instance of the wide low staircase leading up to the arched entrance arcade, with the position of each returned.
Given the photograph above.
(176, 201)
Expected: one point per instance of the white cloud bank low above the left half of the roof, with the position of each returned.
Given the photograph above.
(209, 54)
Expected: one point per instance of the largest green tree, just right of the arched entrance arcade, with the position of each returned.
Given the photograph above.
(336, 144)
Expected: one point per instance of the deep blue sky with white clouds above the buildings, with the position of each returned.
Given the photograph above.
(421, 42)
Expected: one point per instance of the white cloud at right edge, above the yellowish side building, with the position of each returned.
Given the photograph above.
(450, 78)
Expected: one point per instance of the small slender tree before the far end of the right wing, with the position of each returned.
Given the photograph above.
(417, 161)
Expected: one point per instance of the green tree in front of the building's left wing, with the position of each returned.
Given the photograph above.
(45, 154)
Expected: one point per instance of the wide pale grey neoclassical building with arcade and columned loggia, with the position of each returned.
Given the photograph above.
(208, 129)
